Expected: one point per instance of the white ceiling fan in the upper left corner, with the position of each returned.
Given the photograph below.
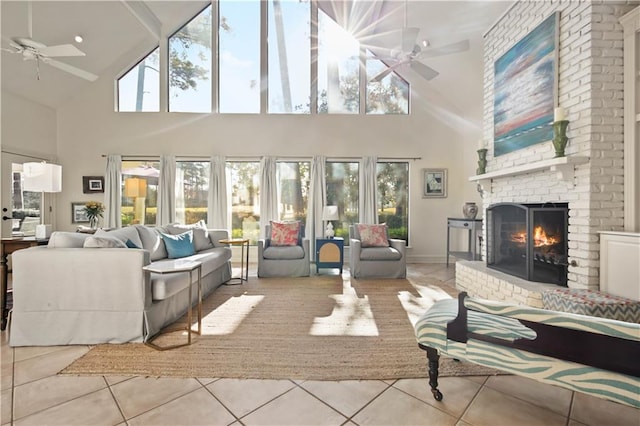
(40, 52)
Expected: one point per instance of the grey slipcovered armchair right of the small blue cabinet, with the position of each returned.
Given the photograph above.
(385, 258)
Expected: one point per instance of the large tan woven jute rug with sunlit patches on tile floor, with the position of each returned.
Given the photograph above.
(315, 328)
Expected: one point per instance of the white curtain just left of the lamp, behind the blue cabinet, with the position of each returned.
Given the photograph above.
(316, 201)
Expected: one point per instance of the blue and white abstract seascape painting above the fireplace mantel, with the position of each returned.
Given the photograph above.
(525, 90)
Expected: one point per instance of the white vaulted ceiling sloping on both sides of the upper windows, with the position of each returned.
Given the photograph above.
(122, 31)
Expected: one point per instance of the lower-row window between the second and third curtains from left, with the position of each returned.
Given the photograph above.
(192, 188)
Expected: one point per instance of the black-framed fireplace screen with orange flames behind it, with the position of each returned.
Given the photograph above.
(529, 241)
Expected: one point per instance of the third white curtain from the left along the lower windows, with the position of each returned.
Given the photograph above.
(218, 213)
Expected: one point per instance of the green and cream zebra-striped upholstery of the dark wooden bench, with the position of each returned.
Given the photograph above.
(431, 330)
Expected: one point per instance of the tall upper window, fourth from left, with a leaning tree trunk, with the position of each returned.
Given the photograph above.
(289, 56)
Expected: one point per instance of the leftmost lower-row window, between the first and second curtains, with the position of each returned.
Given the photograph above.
(139, 192)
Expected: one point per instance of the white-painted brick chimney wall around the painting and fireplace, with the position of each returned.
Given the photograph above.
(590, 89)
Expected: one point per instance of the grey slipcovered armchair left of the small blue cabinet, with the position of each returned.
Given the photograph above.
(283, 260)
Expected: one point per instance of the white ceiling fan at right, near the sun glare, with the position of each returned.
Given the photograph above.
(410, 52)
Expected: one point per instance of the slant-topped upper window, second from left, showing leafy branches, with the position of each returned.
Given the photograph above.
(190, 65)
